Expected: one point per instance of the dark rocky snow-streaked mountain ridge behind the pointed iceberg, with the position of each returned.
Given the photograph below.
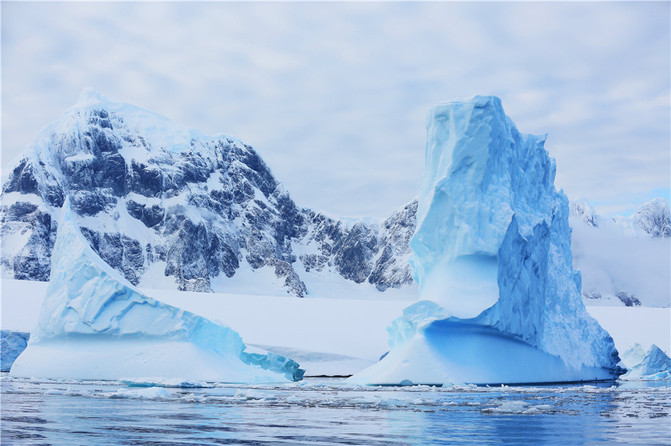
(171, 207)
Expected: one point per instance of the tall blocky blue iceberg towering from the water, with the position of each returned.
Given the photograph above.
(491, 254)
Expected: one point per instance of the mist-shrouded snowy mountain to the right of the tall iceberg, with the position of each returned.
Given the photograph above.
(623, 260)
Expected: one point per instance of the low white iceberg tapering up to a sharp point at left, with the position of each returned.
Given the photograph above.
(94, 324)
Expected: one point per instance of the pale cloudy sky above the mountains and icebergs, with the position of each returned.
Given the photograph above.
(334, 96)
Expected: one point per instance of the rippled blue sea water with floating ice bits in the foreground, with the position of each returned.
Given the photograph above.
(329, 412)
